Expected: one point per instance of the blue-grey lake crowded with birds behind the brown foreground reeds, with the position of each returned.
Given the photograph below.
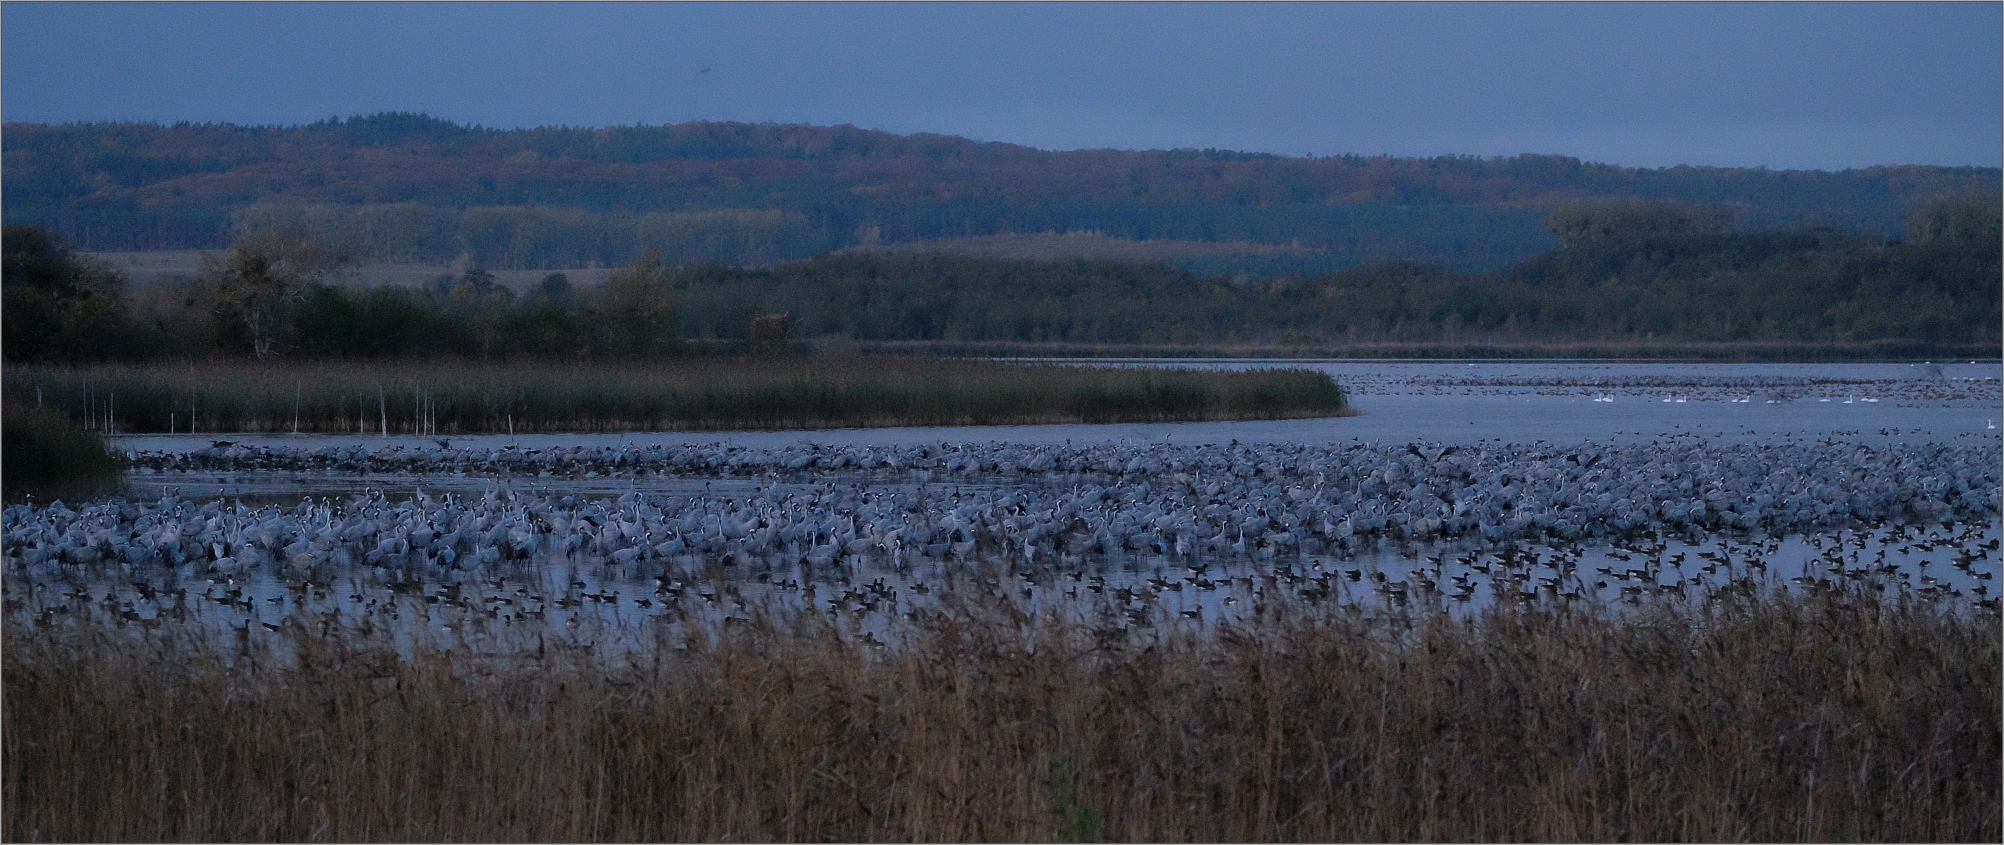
(1704, 415)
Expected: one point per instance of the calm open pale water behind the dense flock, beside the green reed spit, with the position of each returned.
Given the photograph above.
(1446, 403)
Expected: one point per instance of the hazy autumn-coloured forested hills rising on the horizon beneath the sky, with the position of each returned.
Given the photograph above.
(408, 187)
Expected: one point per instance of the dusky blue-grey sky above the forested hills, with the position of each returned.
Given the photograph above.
(1640, 85)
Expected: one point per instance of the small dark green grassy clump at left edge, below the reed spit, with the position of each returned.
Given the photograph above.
(47, 454)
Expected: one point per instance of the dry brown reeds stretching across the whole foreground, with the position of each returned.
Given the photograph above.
(1767, 718)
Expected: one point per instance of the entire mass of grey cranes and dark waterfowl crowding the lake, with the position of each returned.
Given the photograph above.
(1147, 530)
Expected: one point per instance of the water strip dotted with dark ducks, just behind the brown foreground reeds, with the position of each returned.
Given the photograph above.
(596, 602)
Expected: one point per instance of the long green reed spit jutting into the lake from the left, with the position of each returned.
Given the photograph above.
(678, 395)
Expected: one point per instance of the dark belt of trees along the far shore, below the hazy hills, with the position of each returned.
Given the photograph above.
(1624, 271)
